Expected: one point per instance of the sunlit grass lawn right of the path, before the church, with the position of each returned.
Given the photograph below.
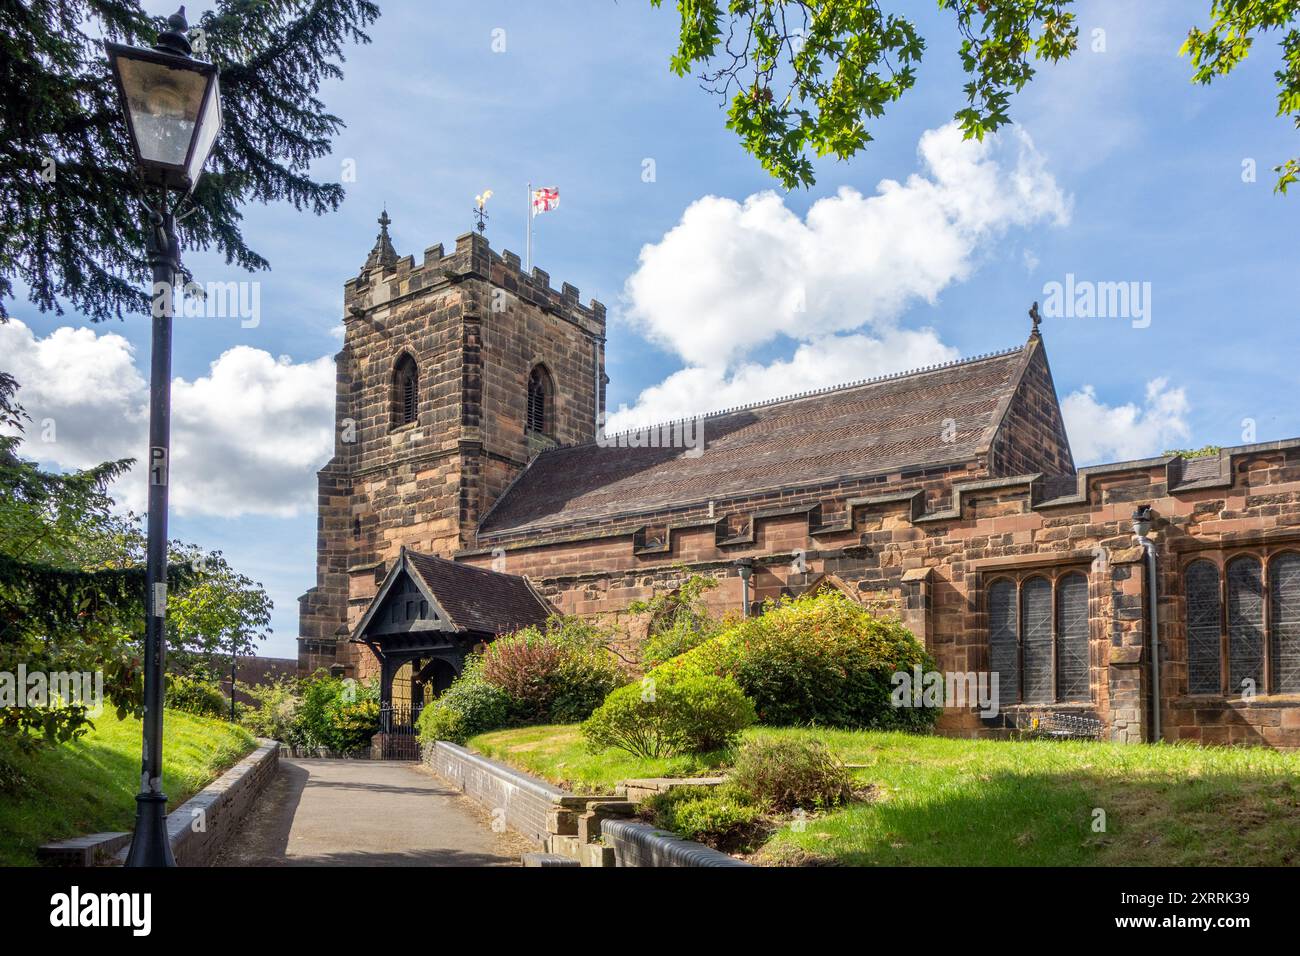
(943, 803)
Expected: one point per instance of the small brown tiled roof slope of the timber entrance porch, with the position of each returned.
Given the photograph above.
(478, 599)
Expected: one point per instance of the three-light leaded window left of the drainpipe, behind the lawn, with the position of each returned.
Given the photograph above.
(1038, 634)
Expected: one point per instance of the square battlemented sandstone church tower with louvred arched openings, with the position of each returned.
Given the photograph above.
(453, 375)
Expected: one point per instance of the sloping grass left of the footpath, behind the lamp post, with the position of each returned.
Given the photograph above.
(90, 785)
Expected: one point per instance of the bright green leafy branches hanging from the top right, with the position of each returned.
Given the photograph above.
(804, 77)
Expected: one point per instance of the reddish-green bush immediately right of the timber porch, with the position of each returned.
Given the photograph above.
(558, 673)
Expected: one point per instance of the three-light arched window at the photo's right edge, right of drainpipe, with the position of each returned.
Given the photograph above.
(1238, 625)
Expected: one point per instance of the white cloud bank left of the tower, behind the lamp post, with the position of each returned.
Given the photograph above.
(246, 439)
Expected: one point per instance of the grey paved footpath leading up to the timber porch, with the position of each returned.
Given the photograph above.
(366, 814)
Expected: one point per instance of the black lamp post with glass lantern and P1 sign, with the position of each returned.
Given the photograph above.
(174, 115)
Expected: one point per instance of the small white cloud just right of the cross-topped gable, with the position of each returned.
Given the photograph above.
(1103, 432)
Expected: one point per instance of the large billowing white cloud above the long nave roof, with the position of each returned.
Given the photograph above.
(734, 278)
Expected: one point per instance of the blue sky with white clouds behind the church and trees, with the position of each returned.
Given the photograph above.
(1136, 175)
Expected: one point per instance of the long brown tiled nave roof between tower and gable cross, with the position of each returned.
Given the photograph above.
(879, 426)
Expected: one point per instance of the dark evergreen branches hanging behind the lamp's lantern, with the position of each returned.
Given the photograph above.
(71, 224)
